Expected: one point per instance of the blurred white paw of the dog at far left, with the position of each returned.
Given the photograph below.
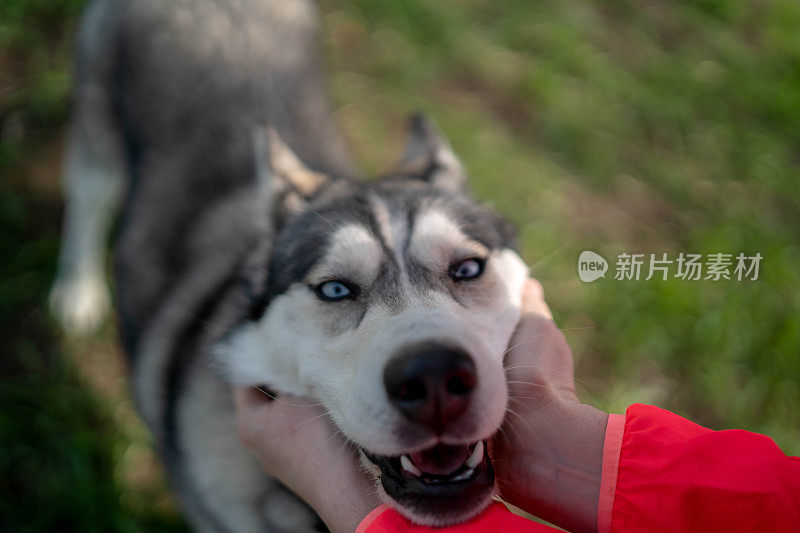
(80, 303)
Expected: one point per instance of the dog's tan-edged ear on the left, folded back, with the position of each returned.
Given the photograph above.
(284, 181)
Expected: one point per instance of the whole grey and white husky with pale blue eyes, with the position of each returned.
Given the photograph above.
(246, 256)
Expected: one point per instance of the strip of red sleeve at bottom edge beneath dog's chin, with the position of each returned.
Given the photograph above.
(496, 518)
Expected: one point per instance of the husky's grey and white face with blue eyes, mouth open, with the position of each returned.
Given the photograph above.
(393, 303)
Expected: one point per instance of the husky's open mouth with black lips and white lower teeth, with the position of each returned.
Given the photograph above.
(440, 479)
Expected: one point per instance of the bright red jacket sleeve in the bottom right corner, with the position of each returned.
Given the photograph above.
(673, 475)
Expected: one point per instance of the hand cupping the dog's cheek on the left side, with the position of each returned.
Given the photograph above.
(298, 444)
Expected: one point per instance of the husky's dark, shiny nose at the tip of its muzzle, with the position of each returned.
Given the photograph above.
(431, 384)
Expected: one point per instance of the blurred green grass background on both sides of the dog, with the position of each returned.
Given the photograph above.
(613, 126)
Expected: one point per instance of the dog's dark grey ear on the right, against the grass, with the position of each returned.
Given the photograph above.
(429, 156)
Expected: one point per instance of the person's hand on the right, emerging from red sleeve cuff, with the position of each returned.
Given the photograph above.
(548, 454)
